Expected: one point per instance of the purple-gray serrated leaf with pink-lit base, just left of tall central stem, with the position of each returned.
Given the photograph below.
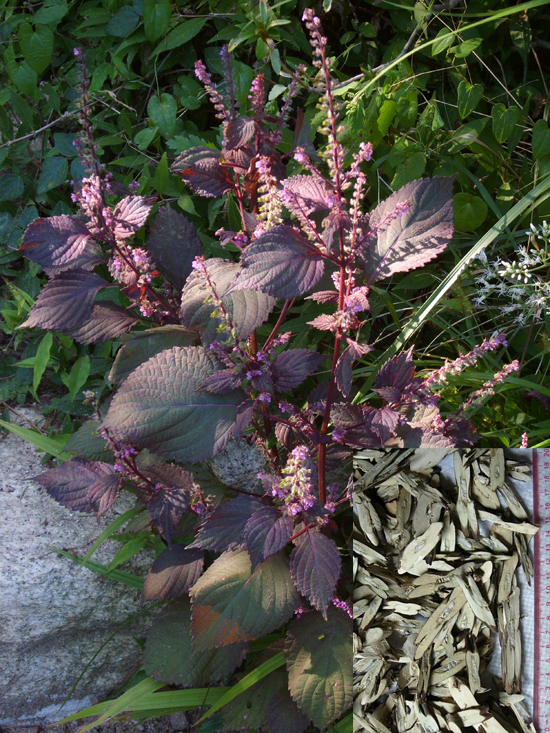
(281, 263)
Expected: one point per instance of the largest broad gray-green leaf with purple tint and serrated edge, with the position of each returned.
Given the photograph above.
(160, 407)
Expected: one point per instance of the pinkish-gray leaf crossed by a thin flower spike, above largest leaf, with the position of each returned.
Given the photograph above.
(247, 309)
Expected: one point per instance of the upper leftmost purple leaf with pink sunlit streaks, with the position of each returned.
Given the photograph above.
(60, 243)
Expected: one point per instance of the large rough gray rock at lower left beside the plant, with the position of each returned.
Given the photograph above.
(55, 616)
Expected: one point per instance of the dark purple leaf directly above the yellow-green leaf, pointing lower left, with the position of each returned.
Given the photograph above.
(224, 528)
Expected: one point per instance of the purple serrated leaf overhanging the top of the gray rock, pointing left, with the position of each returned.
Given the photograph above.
(70, 482)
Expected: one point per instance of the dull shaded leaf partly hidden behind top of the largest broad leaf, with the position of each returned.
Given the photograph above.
(138, 347)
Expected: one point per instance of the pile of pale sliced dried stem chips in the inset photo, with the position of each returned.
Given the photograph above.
(435, 572)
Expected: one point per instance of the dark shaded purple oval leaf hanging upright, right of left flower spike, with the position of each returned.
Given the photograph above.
(173, 244)
